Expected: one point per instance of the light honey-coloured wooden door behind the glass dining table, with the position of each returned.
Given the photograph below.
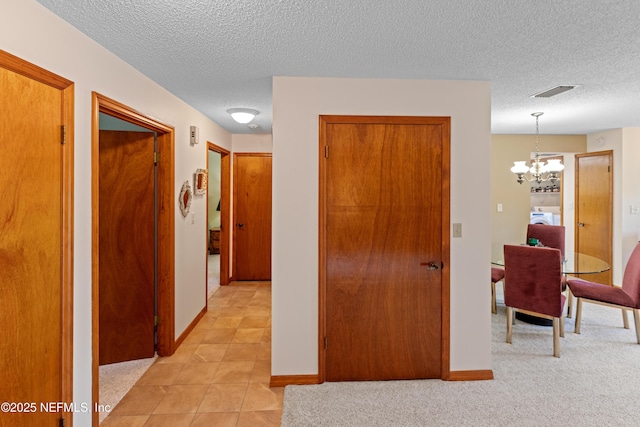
(594, 209)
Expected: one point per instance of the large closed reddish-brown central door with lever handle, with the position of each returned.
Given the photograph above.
(386, 183)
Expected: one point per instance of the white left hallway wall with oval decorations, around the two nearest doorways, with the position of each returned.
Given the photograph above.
(31, 32)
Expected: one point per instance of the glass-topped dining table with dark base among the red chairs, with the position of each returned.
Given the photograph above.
(574, 263)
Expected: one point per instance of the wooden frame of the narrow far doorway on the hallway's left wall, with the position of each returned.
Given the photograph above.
(225, 203)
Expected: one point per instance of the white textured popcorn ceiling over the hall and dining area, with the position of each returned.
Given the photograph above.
(220, 54)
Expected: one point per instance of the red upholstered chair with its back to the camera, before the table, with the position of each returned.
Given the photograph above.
(534, 287)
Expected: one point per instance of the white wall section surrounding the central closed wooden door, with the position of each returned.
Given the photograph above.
(297, 103)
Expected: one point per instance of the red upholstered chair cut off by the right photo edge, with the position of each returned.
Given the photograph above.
(626, 297)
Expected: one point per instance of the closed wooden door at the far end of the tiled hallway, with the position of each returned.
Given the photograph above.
(252, 216)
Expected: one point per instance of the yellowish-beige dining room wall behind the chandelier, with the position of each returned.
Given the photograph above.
(509, 226)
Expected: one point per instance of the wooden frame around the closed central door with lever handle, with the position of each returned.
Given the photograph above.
(324, 120)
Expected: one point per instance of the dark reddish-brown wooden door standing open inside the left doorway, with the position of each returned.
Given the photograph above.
(126, 246)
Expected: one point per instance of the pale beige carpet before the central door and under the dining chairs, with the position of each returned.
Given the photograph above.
(595, 382)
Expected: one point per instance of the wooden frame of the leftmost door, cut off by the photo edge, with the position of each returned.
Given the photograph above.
(67, 88)
